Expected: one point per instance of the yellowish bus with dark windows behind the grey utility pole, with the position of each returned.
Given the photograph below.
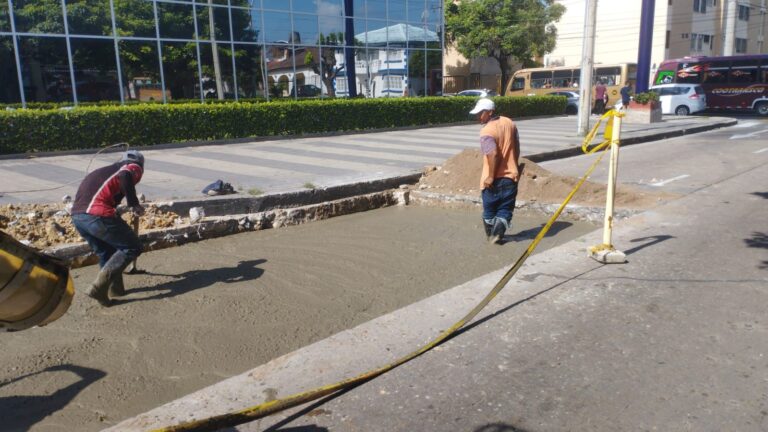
(542, 81)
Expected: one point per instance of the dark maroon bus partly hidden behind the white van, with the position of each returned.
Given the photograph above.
(733, 82)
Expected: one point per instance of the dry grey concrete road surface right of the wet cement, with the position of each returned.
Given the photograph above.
(569, 345)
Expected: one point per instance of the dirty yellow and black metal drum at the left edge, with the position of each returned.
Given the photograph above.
(35, 289)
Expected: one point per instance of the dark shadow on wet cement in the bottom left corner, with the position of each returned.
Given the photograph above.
(20, 413)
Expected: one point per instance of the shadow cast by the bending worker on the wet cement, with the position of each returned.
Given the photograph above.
(197, 279)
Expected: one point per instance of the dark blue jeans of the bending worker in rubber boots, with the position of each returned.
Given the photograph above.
(106, 235)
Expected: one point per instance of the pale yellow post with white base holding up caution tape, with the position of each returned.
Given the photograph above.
(606, 253)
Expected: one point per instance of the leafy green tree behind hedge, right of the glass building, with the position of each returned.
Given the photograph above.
(503, 29)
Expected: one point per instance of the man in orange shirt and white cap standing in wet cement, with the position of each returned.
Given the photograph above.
(500, 145)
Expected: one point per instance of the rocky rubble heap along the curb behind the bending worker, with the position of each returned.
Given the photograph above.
(46, 225)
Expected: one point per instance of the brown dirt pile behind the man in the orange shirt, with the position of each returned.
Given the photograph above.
(460, 175)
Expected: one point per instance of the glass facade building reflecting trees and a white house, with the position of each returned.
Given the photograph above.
(162, 50)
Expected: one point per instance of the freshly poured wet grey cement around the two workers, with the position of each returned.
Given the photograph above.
(210, 310)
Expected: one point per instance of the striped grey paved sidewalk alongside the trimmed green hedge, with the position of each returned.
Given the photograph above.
(272, 166)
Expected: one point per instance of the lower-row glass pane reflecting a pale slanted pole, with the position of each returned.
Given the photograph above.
(217, 77)
